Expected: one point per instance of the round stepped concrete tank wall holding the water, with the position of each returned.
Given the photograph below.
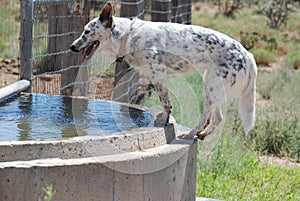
(140, 164)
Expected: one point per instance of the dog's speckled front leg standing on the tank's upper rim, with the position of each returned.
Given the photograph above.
(163, 118)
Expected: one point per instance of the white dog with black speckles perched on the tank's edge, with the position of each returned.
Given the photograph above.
(229, 70)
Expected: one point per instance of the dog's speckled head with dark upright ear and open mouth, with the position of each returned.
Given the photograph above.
(95, 33)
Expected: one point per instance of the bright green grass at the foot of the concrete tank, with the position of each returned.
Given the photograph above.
(232, 173)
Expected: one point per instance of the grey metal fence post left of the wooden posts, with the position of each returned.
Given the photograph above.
(26, 39)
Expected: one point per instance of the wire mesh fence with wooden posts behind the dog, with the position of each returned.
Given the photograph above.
(48, 27)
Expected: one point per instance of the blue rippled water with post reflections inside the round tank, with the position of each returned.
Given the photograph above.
(33, 117)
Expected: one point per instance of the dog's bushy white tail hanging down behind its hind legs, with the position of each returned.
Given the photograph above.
(248, 97)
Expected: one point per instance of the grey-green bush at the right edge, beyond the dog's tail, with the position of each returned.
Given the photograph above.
(277, 133)
